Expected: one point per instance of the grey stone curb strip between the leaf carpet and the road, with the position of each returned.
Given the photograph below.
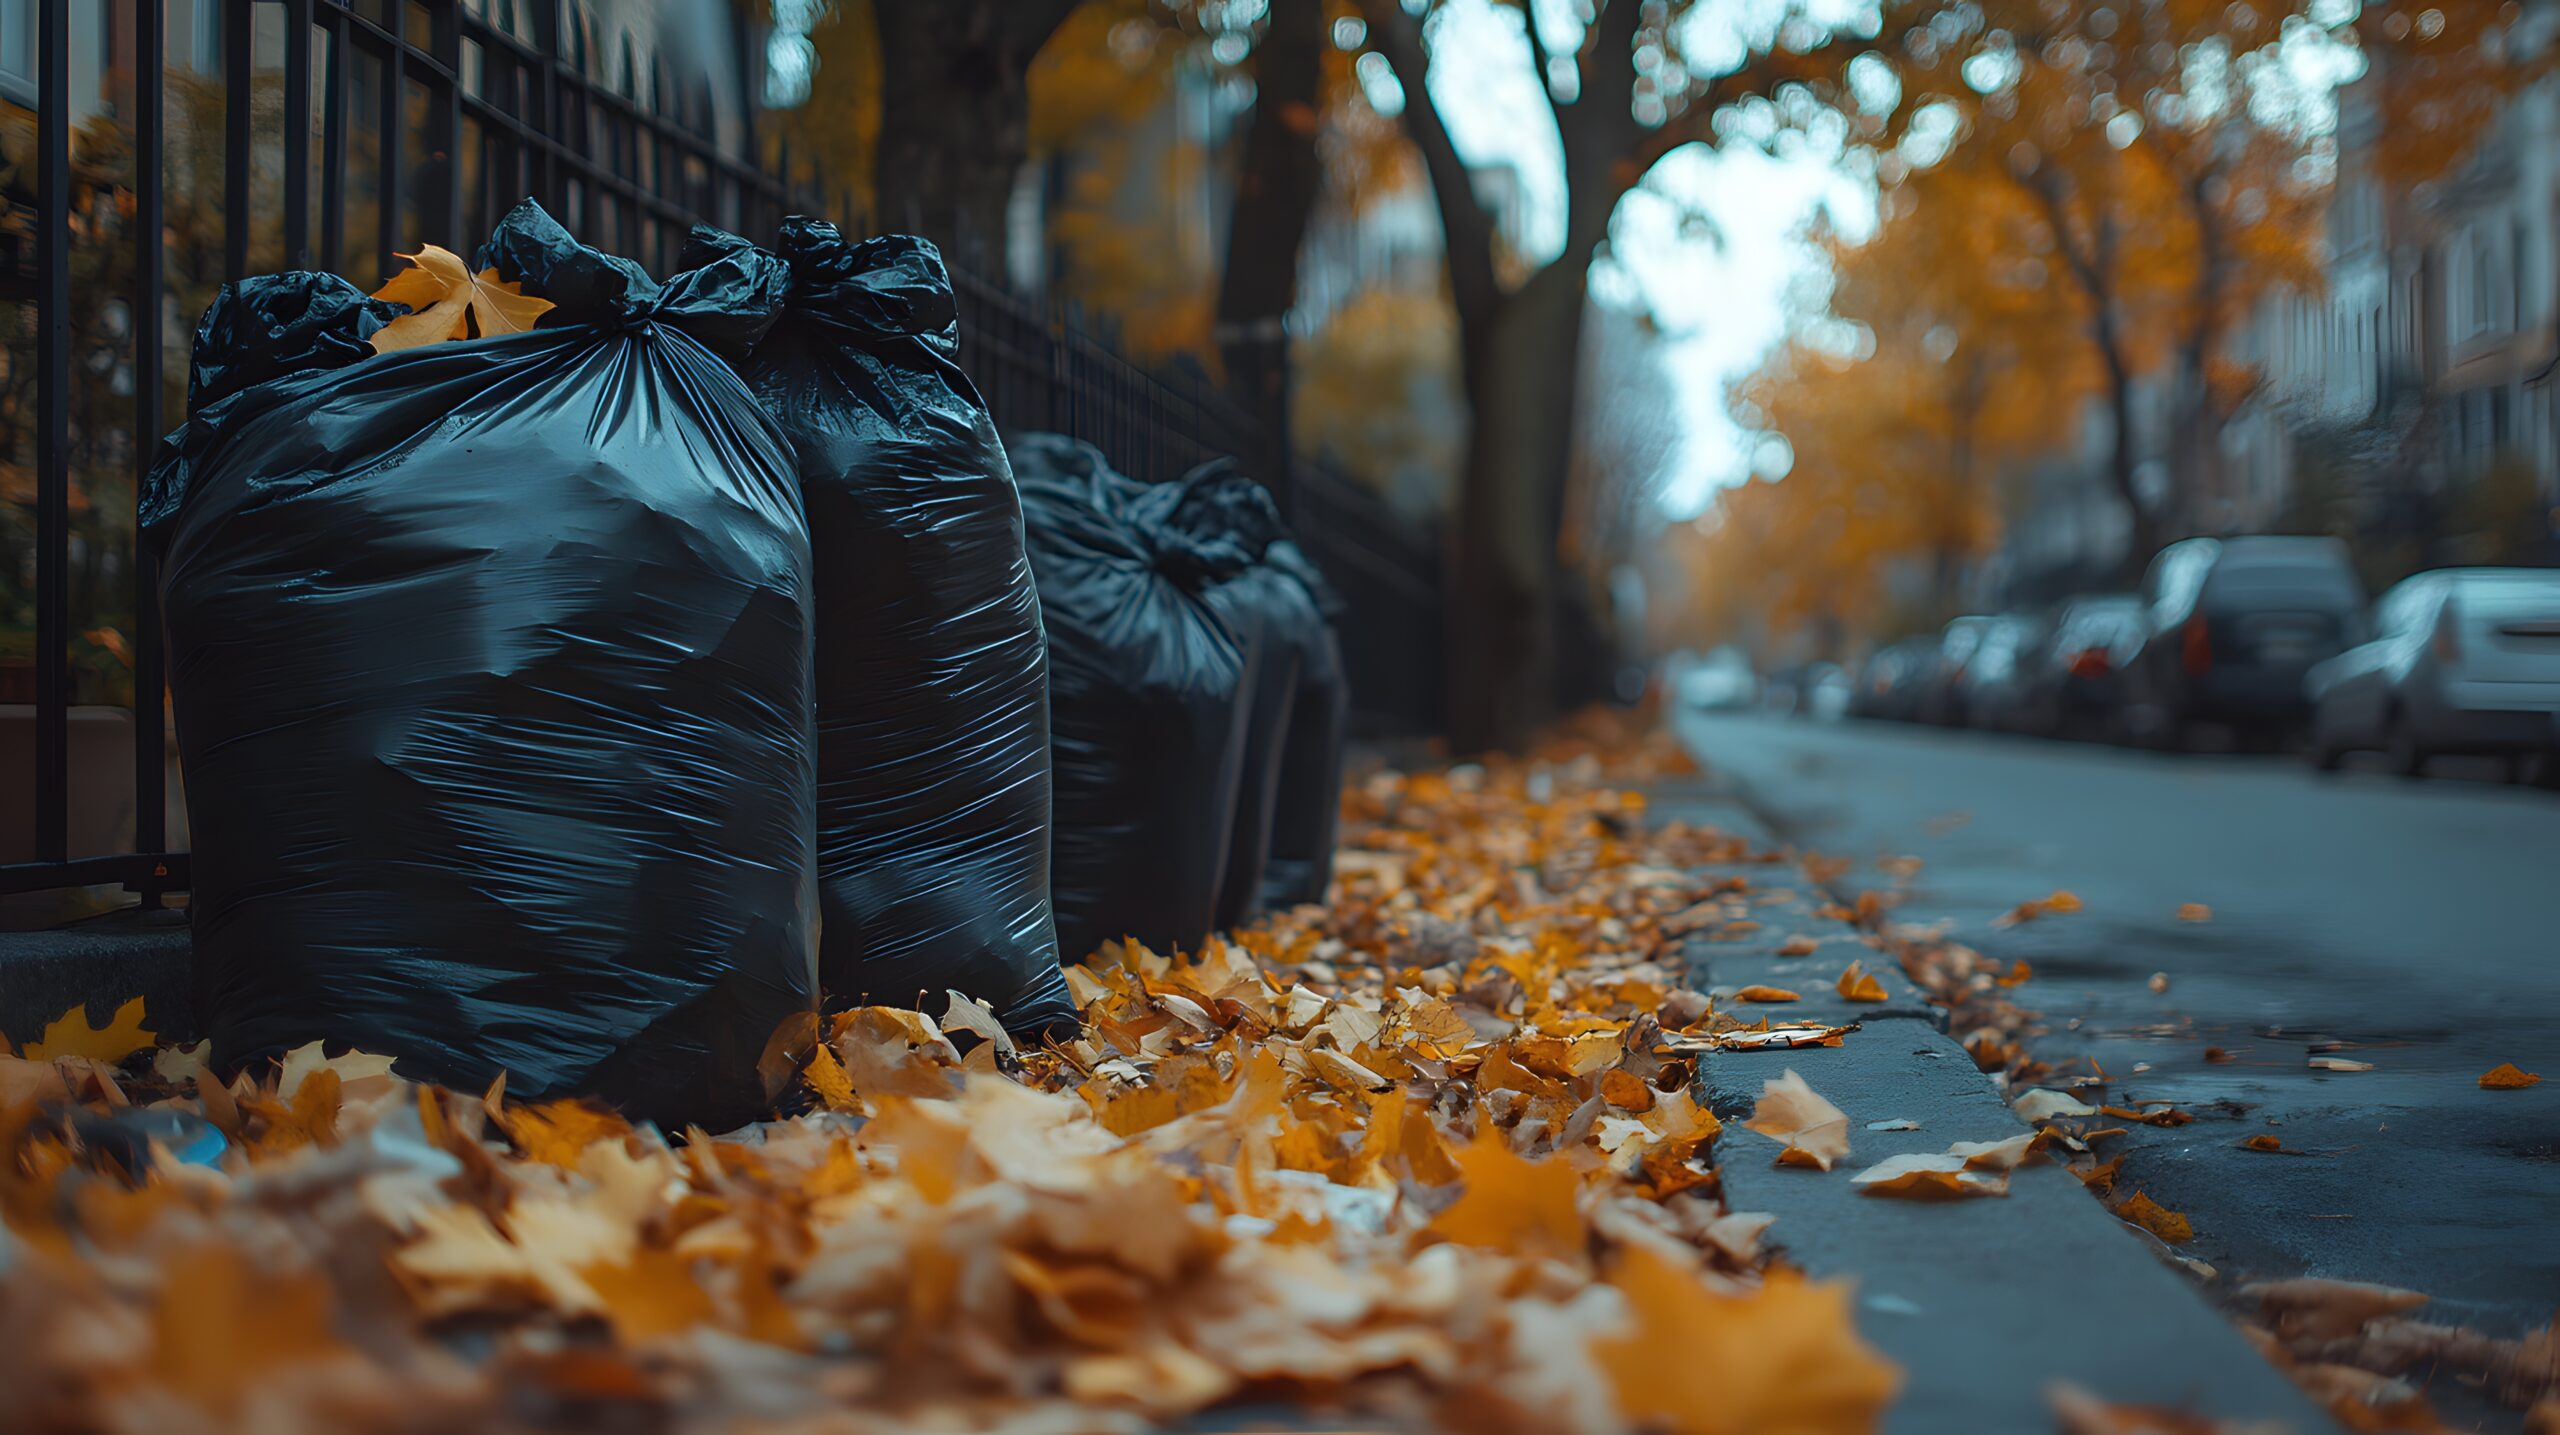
(1988, 1301)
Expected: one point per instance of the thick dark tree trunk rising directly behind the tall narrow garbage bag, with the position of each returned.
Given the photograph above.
(956, 119)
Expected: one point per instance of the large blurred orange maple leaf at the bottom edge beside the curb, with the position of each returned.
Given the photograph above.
(1699, 1362)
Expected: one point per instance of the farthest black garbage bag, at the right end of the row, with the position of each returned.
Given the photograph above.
(1292, 794)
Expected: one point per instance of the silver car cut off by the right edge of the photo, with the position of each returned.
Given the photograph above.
(2461, 661)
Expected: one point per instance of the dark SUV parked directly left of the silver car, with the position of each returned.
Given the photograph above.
(2231, 628)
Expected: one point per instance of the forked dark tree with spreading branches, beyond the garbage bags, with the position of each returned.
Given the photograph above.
(1622, 96)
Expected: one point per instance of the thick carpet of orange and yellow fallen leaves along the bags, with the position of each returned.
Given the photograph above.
(1420, 1160)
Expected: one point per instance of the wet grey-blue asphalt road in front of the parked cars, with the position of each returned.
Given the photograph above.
(2413, 922)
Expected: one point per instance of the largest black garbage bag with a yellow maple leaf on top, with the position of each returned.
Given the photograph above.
(493, 687)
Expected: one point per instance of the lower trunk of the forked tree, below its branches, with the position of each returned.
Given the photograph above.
(1501, 605)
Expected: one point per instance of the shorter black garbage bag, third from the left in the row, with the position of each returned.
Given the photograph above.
(1148, 697)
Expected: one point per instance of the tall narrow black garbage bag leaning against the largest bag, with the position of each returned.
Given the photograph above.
(933, 677)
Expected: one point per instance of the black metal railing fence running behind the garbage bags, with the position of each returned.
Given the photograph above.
(209, 139)
